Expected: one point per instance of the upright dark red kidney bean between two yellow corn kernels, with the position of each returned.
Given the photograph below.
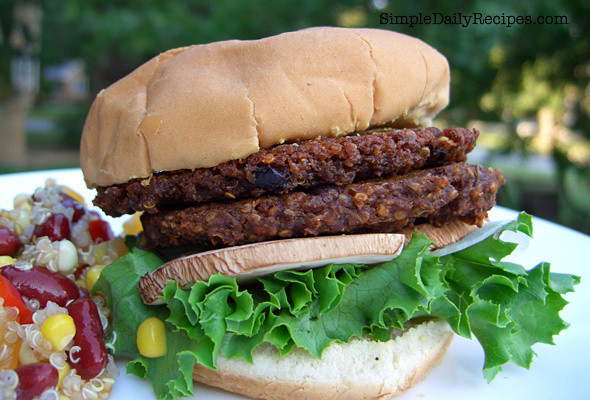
(91, 359)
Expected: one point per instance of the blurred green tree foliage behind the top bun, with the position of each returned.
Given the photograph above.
(511, 74)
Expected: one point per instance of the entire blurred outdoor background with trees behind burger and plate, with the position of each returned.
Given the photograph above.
(526, 87)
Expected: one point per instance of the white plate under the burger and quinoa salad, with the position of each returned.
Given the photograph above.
(559, 372)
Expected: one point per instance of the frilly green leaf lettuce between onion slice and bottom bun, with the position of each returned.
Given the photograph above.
(504, 306)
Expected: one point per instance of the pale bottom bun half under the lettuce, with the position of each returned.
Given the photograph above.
(360, 369)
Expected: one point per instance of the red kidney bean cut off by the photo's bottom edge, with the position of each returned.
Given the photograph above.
(34, 379)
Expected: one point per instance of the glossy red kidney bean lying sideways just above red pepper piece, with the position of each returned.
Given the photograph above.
(42, 284)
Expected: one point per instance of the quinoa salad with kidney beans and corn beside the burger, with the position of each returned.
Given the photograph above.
(52, 250)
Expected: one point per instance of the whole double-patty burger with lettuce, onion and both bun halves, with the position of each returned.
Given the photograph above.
(307, 234)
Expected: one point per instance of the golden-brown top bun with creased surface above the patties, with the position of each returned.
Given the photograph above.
(202, 105)
